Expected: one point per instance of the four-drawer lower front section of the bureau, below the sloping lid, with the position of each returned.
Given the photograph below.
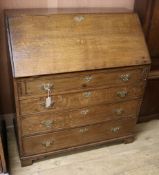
(87, 108)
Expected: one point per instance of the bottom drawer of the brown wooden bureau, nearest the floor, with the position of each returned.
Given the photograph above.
(78, 136)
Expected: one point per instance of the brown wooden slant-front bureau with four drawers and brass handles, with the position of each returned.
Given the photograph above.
(79, 79)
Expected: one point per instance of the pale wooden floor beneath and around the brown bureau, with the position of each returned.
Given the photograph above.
(138, 158)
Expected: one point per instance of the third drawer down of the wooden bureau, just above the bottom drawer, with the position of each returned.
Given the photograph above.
(35, 124)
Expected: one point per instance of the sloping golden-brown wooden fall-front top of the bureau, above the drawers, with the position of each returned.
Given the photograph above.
(59, 43)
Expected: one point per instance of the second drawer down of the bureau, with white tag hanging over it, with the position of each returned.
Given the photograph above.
(81, 99)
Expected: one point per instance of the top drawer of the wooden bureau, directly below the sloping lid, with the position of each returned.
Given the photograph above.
(63, 83)
